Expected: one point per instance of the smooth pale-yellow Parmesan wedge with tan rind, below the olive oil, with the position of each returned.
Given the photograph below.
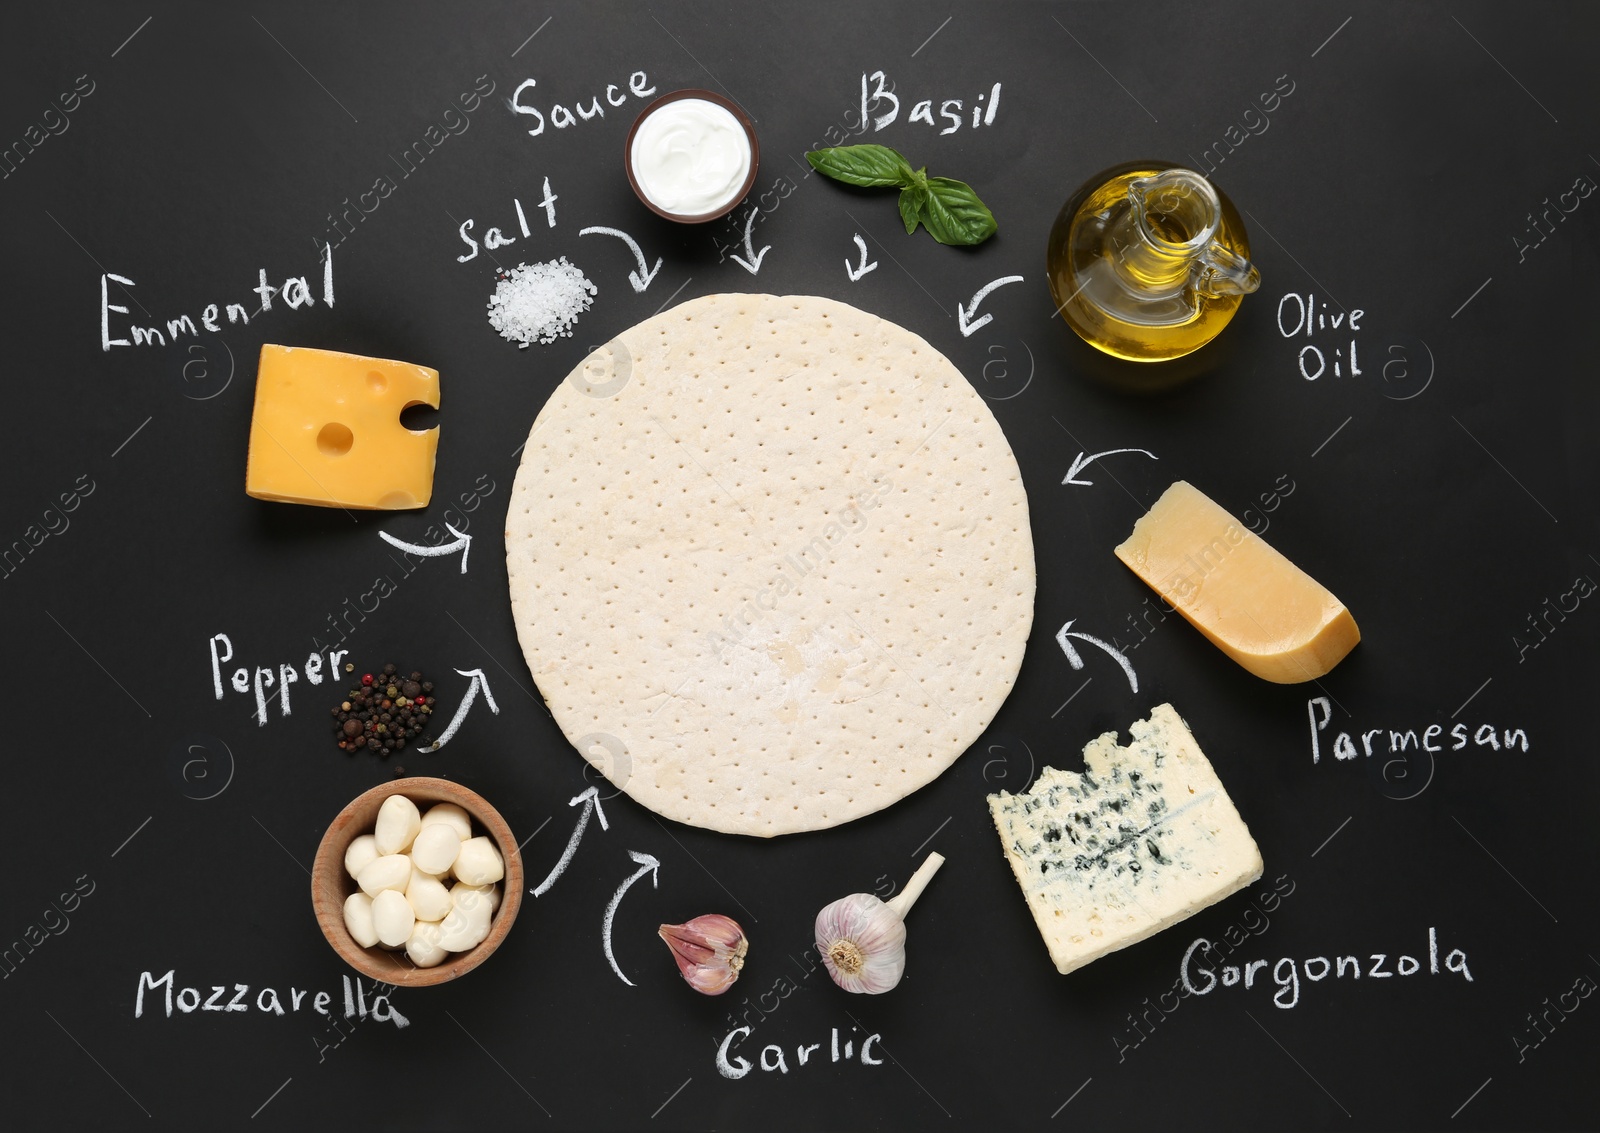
(1254, 604)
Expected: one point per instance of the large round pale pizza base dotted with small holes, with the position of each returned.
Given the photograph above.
(770, 562)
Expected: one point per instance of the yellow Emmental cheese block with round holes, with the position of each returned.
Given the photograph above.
(327, 431)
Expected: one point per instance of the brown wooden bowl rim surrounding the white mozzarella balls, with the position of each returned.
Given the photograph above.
(330, 886)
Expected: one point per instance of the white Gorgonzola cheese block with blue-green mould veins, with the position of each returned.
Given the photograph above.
(1145, 838)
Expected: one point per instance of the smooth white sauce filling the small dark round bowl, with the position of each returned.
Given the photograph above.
(690, 158)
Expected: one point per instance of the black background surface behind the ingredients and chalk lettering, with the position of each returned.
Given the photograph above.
(1446, 494)
